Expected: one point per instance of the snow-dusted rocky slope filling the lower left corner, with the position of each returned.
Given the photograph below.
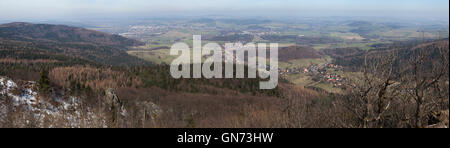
(21, 106)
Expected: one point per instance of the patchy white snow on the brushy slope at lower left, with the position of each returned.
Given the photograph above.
(67, 108)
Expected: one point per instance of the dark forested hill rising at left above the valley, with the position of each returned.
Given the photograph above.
(94, 46)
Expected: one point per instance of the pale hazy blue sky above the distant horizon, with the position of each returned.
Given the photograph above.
(46, 9)
